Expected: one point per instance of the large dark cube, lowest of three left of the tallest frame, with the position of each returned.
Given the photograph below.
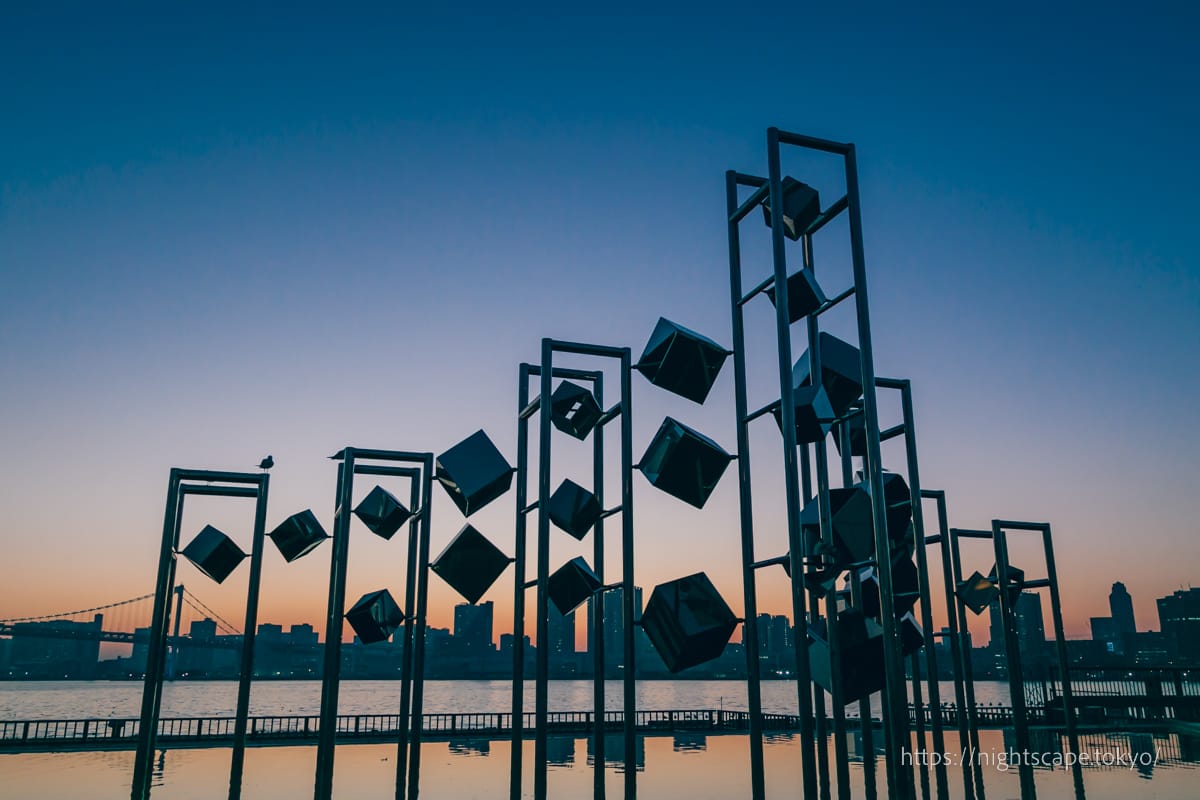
(688, 622)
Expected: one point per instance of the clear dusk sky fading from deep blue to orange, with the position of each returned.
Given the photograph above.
(226, 233)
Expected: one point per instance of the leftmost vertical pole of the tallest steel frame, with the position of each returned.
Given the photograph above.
(749, 582)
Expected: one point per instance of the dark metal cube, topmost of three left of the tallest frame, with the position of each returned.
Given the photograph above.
(682, 362)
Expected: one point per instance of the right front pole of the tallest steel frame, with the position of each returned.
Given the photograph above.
(895, 701)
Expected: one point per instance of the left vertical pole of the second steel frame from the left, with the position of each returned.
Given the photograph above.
(331, 679)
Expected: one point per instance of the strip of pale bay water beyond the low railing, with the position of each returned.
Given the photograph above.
(103, 700)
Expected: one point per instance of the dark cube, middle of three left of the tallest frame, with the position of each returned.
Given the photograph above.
(685, 464)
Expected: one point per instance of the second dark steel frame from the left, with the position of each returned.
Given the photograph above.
(419, 471)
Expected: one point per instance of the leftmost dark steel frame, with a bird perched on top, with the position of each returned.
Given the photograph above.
(183, 483)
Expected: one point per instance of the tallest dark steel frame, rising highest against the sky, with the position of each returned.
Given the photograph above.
(895, 696)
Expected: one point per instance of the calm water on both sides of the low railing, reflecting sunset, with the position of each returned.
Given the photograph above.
(673, 768)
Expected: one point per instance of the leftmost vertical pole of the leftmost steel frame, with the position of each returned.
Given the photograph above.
(157, 649)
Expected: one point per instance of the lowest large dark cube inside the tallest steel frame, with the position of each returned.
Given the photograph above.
(862, 655)
